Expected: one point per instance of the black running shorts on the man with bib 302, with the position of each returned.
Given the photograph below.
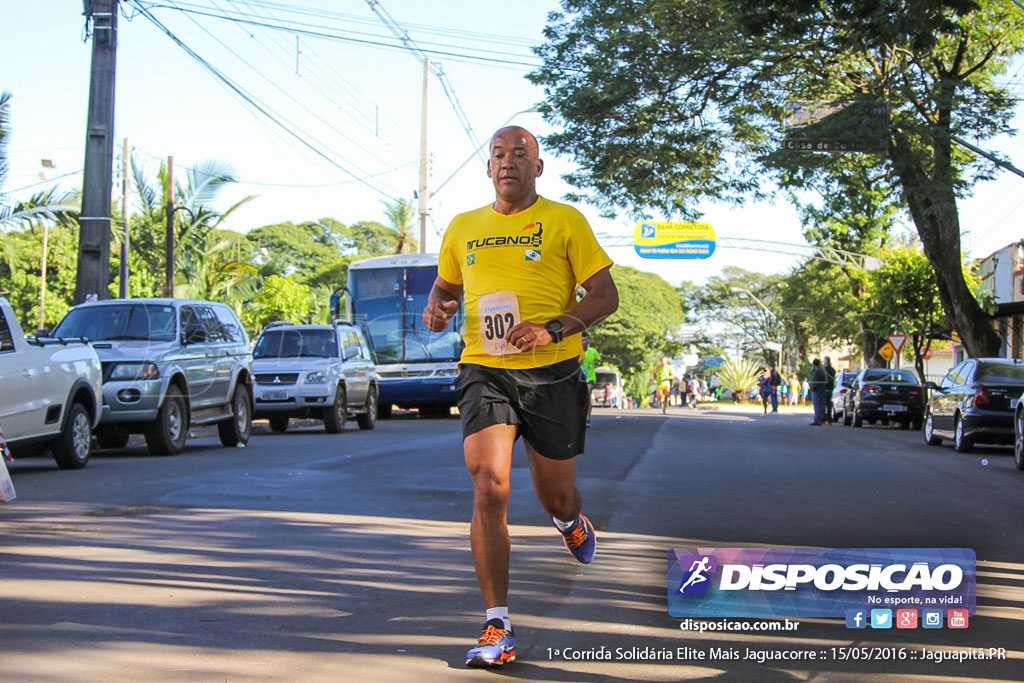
(548, 405)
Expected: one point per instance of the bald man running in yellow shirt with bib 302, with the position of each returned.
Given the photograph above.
(519, 263)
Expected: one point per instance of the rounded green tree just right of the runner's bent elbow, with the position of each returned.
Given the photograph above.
(636, 336)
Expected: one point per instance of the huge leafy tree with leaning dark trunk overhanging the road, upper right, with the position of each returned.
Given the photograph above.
(663, 104)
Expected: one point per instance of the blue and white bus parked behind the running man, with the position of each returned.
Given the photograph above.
(416, 368)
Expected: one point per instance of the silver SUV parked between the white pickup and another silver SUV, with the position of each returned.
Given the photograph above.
(167, 364)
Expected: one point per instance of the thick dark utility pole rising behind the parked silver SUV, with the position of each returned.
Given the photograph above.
(95, 238)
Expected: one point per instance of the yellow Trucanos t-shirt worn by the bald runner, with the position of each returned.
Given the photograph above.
(540, 254)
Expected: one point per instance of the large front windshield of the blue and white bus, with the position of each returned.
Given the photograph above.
(391, 302)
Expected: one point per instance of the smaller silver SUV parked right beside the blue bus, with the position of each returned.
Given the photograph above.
(325, 372)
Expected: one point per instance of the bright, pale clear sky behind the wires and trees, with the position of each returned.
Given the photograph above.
(355, 103)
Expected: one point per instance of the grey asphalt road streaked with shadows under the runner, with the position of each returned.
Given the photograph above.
(309, 557)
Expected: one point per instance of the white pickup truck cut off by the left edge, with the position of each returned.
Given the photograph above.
(51, 393)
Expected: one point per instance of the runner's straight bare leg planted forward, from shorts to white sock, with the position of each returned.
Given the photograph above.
(489, 457)
